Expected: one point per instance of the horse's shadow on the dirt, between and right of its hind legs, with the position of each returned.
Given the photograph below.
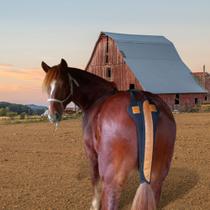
(178, 183)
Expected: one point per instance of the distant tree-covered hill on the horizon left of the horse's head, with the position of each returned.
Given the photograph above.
(30, 109)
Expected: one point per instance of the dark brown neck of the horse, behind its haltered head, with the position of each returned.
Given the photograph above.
(90, 89)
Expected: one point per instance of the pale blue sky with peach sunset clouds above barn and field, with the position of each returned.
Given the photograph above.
(32, 31)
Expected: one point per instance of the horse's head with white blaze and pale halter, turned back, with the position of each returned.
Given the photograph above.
(58, 84)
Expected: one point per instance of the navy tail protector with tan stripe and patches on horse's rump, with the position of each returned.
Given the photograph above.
(145, 116)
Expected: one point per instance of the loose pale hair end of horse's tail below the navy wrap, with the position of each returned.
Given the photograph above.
(144, 198)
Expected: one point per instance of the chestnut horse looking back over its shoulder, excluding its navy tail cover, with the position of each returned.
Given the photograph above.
(110, 136)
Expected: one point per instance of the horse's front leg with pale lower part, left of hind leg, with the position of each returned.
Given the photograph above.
(92, 155)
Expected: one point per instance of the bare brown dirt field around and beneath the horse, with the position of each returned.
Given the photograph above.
(47, 170)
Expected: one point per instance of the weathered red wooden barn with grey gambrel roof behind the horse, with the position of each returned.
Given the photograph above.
(148, 63)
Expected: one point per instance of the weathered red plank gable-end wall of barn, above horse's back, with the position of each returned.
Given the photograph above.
(121, 74)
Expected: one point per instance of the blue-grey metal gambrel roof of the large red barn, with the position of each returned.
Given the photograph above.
(156, 63)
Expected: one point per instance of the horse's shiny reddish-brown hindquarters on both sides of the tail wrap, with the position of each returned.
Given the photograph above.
(115, 140)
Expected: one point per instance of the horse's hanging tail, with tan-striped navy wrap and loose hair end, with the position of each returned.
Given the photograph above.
(144, 198)
